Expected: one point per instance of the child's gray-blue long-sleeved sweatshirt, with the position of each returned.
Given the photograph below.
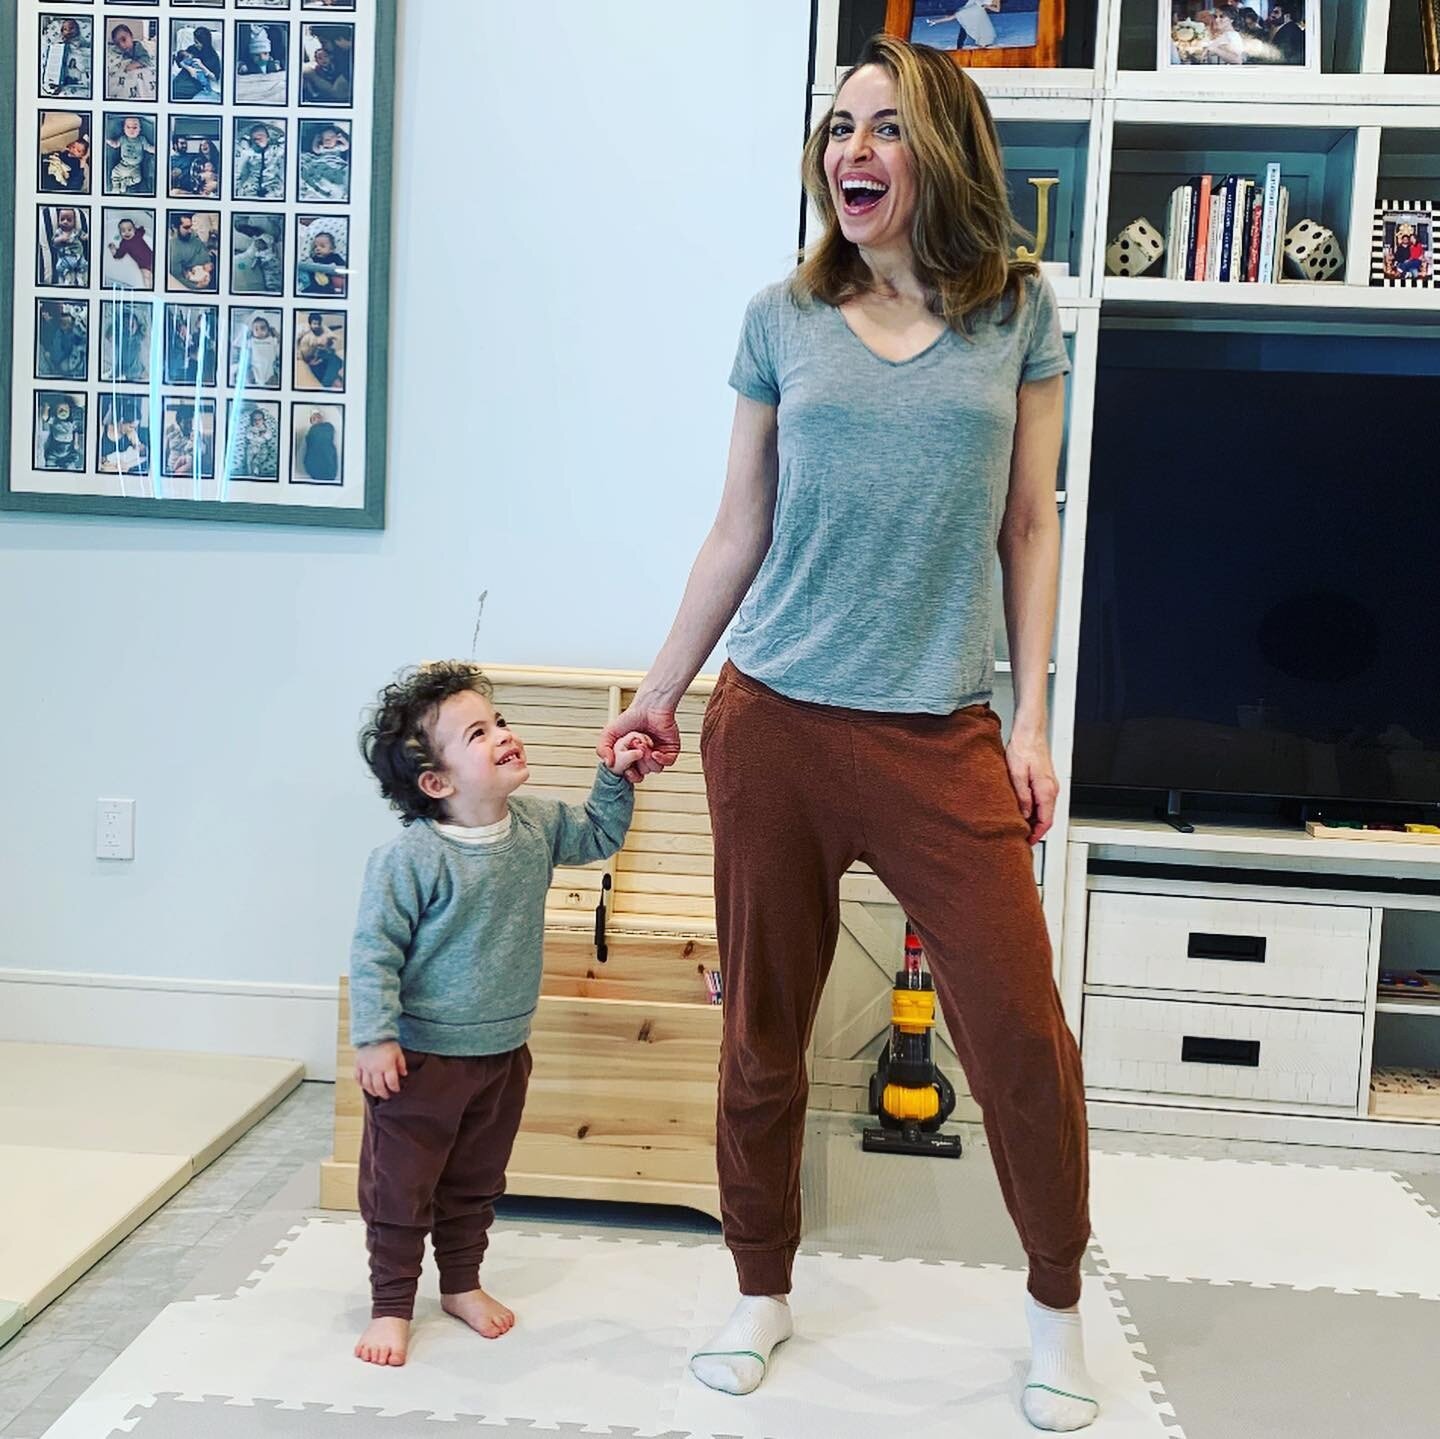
(449, 941)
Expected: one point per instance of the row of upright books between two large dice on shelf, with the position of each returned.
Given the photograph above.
(1228, 228)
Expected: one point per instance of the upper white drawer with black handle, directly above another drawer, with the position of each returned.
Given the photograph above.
(1228, 947)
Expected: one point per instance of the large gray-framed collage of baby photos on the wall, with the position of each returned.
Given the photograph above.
(195, 267)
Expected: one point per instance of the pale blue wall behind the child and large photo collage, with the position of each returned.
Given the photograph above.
(561, 339)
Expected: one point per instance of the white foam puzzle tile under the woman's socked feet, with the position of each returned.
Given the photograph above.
(924, 1350)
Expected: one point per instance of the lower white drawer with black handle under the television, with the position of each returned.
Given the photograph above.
(1223, 1051)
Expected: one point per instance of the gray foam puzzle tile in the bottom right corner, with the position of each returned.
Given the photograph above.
(1241, 1362)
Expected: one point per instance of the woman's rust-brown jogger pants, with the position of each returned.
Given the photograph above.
(798, 793)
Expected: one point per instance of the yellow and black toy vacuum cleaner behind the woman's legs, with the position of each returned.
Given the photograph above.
(908, 1094)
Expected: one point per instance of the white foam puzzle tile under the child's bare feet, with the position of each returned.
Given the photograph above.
(600, 1337)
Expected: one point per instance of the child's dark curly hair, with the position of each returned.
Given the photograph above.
(397, 738)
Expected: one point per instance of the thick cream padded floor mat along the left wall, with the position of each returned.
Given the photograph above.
(93, 1142)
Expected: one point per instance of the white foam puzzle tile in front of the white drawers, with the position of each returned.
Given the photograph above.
(1245, 1222)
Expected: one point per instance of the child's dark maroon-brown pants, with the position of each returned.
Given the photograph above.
(434, 1162)
